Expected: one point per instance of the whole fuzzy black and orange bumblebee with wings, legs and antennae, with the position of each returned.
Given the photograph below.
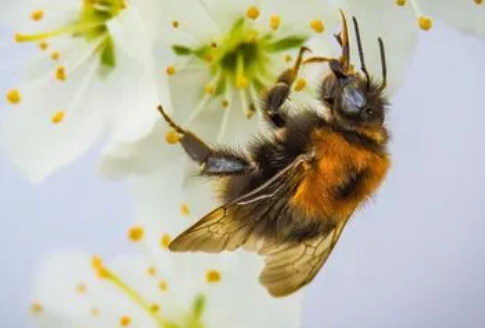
(289, 195)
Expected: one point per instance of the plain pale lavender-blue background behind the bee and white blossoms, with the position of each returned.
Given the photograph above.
(414, 258)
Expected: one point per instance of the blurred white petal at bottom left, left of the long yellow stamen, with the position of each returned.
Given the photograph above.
(64, 304)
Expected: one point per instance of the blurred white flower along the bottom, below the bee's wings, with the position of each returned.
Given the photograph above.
(74, 290)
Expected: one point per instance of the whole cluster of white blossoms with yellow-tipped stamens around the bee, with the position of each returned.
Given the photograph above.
(94, 71)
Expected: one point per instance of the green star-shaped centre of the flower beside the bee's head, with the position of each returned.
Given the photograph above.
(244, 58)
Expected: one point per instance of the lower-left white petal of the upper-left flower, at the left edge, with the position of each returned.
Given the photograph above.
(36, 145)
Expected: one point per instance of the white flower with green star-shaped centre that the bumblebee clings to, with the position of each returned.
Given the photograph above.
(229, 52)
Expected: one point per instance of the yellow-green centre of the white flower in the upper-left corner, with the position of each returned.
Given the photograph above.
(90, 25)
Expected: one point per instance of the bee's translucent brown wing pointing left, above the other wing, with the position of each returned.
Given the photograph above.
(219, 231)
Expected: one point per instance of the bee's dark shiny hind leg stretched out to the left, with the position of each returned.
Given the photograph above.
(212, 162)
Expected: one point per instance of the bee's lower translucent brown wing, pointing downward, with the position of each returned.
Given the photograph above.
(292, 266)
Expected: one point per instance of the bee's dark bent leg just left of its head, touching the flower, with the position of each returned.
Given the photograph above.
(279, 93)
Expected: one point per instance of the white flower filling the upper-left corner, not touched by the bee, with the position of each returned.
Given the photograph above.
(92, 77)
